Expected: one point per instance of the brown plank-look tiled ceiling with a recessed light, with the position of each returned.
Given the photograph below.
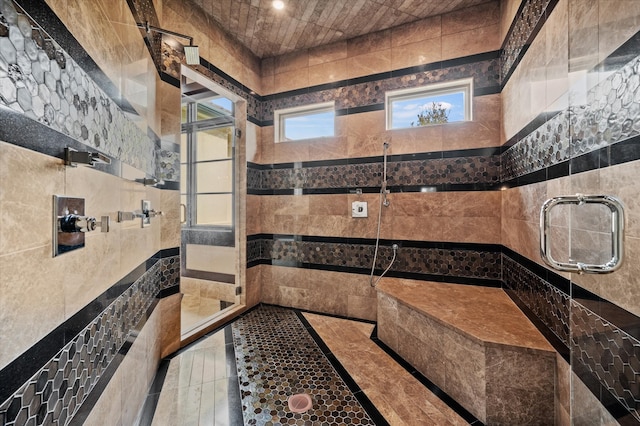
(308, 23)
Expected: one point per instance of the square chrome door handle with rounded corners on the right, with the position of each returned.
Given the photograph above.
(617, 233)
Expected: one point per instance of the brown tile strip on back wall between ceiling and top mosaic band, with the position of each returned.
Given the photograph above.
(428, 41)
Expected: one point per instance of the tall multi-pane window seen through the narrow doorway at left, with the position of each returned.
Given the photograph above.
(207, 155)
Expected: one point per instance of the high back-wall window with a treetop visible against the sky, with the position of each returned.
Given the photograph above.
(426, 105)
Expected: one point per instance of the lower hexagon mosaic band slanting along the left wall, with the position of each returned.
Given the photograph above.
(55, 393)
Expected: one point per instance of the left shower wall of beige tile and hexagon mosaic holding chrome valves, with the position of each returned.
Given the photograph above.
(74, 326)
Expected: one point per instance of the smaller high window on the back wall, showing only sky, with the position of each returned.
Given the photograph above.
(307, 122)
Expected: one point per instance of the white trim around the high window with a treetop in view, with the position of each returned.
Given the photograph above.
(463, 85)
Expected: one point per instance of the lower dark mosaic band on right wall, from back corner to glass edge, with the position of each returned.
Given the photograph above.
(547, 302)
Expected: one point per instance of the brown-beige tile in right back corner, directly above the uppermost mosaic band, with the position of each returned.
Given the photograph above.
(470, 42)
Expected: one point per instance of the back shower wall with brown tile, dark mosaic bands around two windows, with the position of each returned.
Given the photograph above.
(327, 172)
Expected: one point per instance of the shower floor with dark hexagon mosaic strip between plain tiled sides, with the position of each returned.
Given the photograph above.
(350, 378)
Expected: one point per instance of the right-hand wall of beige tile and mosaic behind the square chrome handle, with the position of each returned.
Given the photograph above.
(571, 93)
